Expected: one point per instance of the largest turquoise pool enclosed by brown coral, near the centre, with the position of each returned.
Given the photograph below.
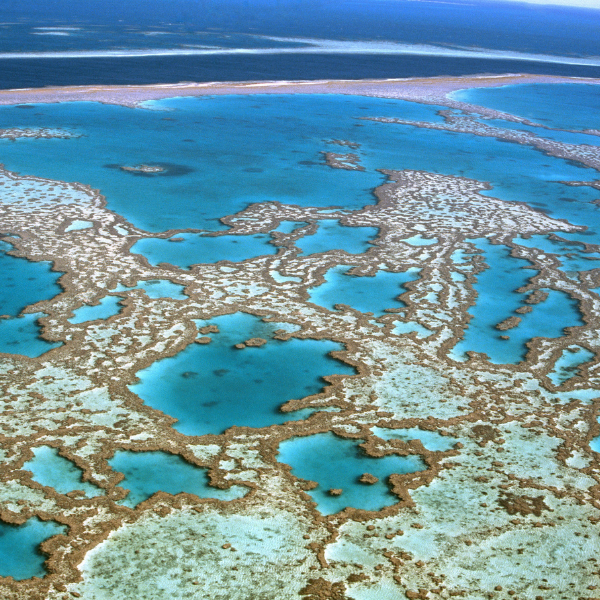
(211, 387)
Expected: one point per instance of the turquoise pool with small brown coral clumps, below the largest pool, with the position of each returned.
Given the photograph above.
(337, 463)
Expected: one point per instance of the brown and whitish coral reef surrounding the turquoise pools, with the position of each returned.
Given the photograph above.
(524, 447)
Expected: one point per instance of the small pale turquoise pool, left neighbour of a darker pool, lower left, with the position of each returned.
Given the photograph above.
(50, 469)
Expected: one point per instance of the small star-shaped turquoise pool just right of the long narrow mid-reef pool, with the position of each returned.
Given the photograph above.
(332, 235)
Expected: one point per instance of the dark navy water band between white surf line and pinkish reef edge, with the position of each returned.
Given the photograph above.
(174, 69)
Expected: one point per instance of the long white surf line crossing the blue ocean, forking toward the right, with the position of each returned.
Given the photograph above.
(317, 46)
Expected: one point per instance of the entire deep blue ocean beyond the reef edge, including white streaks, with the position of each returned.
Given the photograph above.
(232, 40)
